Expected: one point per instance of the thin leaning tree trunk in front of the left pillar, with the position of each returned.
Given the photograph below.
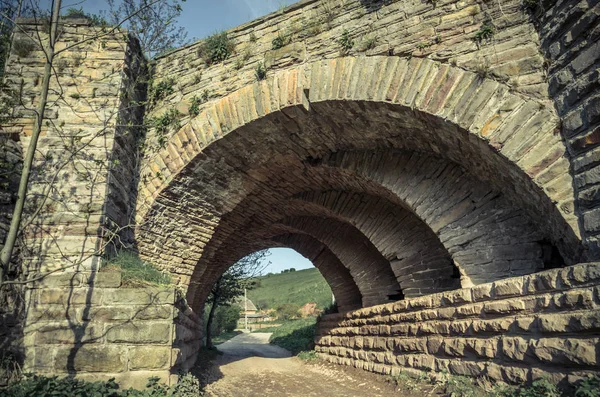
(15, 224)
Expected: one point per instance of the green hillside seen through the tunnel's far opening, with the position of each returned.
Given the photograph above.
(298, 287)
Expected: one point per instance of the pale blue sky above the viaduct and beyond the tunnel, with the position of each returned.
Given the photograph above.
(201, 18)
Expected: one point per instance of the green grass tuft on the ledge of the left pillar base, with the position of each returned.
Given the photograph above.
(134, 270)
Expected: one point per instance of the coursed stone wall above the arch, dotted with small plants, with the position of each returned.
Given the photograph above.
(311, 30)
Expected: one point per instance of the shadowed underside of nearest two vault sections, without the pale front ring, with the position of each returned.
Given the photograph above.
(487, 215)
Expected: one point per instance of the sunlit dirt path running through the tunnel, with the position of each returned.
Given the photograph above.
(251, 367)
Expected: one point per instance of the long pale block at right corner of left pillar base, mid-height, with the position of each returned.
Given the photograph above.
(139, 332)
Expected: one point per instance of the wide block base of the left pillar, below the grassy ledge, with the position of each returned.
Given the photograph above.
(95, 328)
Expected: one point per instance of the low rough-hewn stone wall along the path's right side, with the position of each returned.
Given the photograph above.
(513, 330)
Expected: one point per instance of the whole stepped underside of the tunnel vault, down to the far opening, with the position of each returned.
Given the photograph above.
(437, 206)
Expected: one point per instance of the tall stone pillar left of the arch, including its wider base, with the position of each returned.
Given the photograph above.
(83, 178)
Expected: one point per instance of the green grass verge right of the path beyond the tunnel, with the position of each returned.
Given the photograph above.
(296, 335)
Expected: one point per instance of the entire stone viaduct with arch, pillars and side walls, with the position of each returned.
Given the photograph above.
(437, 161)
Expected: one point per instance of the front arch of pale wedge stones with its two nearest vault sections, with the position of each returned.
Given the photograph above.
(468, 137)
